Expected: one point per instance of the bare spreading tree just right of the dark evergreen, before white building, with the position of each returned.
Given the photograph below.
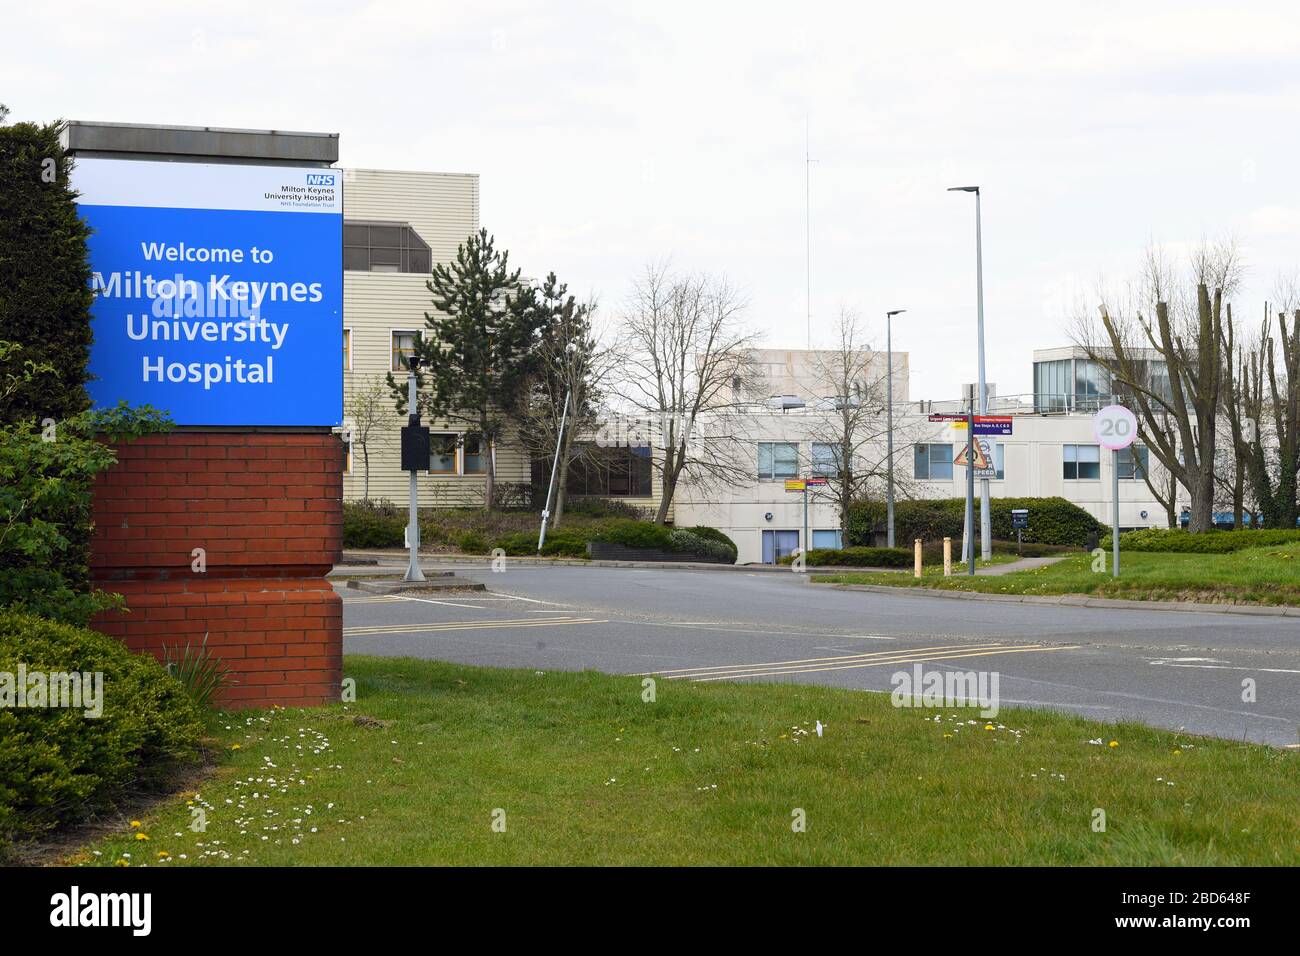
(687, 367)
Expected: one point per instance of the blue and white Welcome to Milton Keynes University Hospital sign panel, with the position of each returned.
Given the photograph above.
(219, 291)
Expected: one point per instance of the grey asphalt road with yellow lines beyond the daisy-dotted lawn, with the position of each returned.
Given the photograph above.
(1169, 669)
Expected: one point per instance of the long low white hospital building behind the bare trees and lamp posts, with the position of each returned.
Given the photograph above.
(1051, 453)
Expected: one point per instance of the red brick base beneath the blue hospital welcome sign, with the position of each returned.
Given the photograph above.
(266, 509)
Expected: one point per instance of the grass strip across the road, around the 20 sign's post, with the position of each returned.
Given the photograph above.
(1258, 576)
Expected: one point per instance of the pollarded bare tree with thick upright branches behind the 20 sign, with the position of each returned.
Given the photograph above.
(1186, 339)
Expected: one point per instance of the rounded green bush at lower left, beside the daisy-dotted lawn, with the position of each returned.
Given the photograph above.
(59, 765)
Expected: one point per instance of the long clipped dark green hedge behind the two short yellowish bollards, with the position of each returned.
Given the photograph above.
(1052, 521)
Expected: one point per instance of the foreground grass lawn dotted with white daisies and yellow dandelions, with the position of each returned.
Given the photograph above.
(588, 773)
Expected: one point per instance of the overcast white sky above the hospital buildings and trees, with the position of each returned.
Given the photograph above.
(608, 139)
